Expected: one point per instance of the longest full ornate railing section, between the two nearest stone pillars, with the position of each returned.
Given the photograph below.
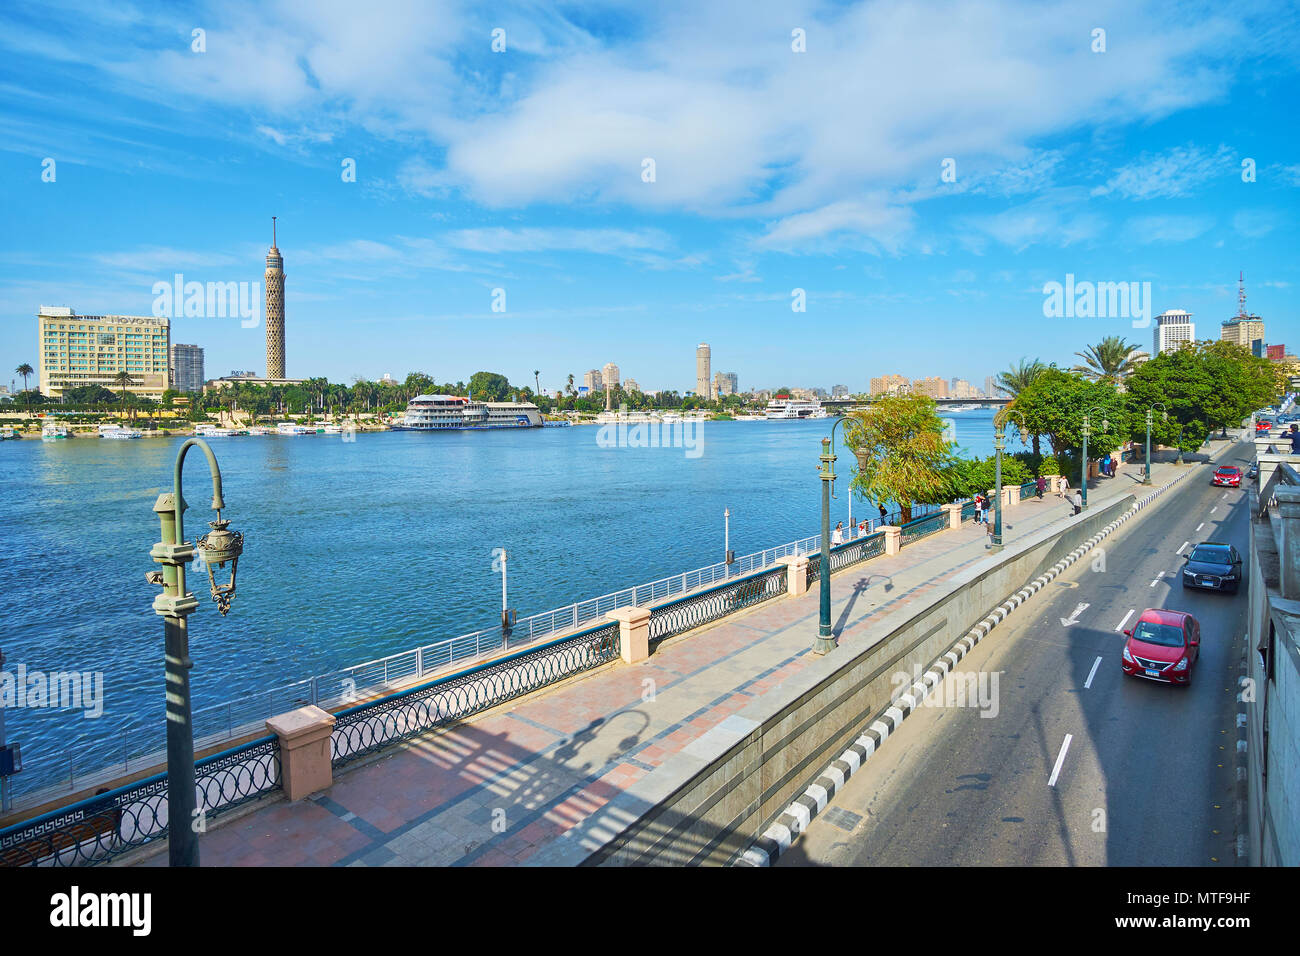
(369, 728)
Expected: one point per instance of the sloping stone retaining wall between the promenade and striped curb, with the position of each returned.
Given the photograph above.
(712, 801)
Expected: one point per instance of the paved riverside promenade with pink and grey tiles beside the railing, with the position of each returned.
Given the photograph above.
(499, 789)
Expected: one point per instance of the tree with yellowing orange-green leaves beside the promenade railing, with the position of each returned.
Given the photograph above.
(899, 442)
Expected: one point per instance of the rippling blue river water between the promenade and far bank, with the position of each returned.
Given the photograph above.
(359, 550)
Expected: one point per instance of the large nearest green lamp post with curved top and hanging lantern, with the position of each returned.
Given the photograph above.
(175, 605)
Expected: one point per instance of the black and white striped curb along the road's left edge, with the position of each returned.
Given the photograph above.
(779, 837)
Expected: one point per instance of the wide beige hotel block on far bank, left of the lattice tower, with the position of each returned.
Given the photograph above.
(93, 349)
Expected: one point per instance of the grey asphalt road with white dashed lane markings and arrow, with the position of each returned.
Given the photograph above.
(1147, 776)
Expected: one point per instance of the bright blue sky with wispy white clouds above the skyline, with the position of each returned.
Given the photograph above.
(774, 171)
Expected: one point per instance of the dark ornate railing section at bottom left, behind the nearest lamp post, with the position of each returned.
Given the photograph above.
(110, 824)
